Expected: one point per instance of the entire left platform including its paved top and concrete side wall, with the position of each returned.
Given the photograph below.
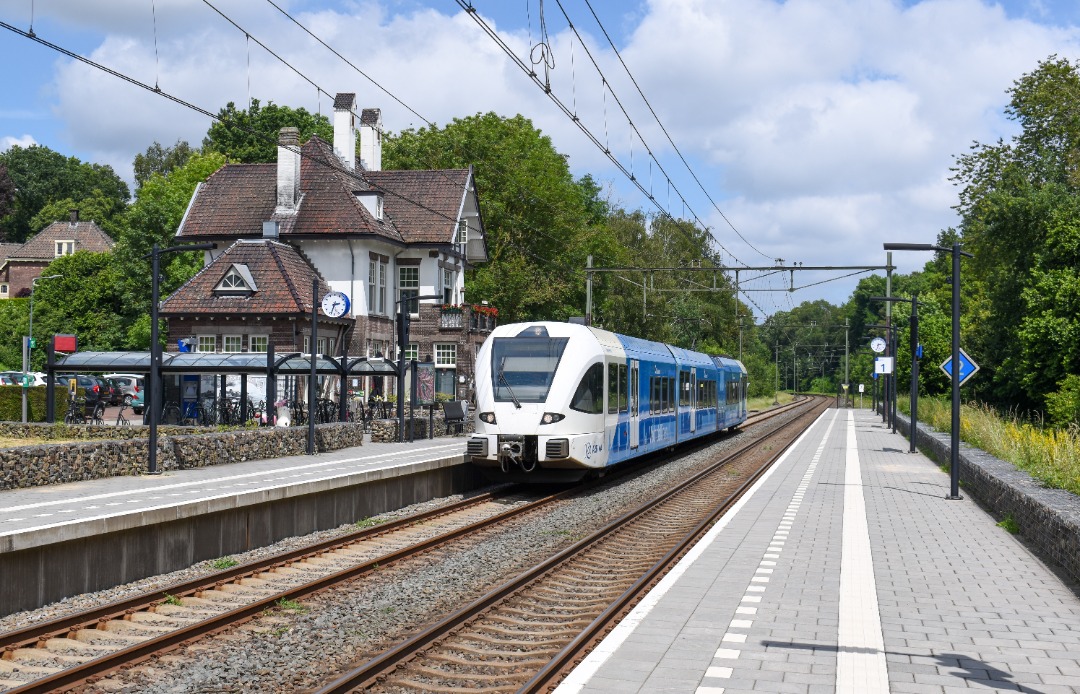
(64, 540)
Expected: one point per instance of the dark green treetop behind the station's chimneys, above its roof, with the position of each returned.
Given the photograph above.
(251, 135)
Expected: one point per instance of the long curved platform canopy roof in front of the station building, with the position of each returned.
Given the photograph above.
(288, 364)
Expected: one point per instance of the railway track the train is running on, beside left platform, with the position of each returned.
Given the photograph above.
(71, 651)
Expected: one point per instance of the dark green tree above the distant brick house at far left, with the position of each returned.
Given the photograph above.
(43, 176)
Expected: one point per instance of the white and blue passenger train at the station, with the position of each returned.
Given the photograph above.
(560, 401)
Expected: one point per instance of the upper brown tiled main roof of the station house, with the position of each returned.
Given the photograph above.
(421, 207)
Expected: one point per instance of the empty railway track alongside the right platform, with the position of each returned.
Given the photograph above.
(529, 633)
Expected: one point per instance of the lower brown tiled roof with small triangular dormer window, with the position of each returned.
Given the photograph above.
(282, 278)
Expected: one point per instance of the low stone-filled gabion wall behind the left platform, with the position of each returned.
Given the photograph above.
(126, 452)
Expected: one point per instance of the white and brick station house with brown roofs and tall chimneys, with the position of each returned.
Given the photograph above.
(373, 235)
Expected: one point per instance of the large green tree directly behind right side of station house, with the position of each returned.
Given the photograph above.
(541, 223)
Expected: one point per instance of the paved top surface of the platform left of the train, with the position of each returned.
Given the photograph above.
(42, 515)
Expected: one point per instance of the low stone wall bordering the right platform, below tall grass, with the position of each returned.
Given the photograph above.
(1048, 519)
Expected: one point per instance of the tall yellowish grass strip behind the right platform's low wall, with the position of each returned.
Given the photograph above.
(1051, 456)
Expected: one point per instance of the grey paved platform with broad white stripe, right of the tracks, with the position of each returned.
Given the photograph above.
(847, 570)
